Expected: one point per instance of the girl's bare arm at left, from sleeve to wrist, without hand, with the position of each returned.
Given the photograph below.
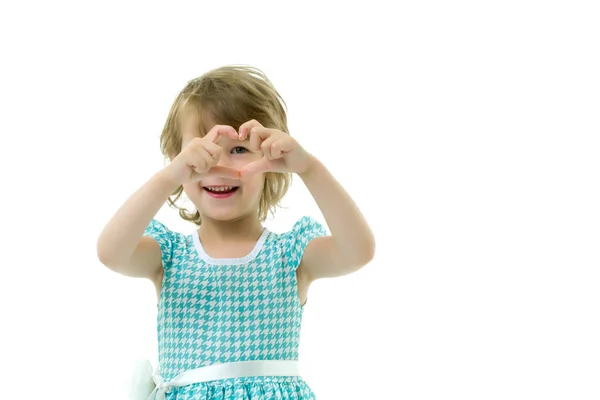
(121, 245)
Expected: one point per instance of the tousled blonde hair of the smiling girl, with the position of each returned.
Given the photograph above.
(231, 95)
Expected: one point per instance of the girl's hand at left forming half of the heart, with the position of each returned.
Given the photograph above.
(200, 157)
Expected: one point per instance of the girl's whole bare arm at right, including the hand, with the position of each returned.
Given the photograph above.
(351, 244)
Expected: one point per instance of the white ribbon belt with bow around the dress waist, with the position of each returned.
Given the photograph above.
(149, 386)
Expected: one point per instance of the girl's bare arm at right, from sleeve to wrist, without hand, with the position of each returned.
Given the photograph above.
(351, 244)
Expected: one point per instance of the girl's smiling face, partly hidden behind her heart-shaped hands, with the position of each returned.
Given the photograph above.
(225, 199)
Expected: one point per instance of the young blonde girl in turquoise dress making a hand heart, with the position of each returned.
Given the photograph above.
(231, 295)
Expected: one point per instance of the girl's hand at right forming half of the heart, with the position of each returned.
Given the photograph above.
(281, 152)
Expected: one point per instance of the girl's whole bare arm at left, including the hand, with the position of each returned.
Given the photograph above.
(121, 245)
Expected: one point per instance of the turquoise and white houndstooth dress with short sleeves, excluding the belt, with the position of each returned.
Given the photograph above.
(224, 310)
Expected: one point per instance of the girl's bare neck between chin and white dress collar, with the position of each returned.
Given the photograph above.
(246, 228)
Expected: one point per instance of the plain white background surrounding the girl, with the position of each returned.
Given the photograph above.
(467, 132)
